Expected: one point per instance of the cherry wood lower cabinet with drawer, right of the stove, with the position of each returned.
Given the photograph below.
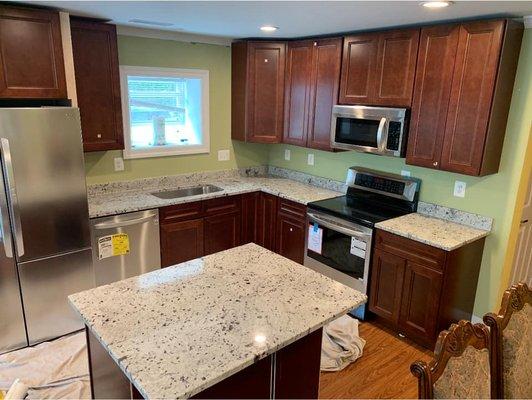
(419, 290)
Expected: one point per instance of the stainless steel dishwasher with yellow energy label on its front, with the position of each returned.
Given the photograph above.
(125, 245)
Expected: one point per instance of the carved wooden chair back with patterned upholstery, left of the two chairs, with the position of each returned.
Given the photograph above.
(461, 364)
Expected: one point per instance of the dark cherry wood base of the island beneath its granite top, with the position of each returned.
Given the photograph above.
(292, 372)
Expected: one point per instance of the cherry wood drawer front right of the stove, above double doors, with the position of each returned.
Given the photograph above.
(411, 250)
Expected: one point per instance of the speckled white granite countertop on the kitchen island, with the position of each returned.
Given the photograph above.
(179, 330)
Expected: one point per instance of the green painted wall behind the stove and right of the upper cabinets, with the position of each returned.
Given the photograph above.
(492, 195)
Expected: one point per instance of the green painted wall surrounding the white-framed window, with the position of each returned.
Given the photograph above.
(168, 53)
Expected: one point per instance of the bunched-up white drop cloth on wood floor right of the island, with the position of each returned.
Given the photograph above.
(341, 344)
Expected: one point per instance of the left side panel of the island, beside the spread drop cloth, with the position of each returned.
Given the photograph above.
(107, 379)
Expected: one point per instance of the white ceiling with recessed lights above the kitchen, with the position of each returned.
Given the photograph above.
(237, 19)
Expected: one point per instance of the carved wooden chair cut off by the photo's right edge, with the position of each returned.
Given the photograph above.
(511, 338)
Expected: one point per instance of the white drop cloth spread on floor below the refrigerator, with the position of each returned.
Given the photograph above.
(52, 370)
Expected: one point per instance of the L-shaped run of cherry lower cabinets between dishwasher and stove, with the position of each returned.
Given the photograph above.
(196, 229)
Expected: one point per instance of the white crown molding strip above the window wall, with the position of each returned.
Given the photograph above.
(172, 35)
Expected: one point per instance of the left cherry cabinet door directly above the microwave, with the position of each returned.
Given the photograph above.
(359, 63)
